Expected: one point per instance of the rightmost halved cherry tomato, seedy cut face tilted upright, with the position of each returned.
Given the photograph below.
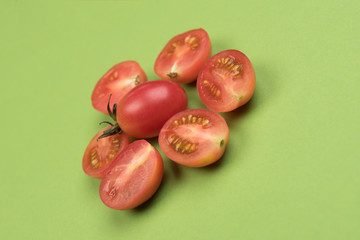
(227, 81)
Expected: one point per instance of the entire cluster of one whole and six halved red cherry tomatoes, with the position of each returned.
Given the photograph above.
(131, 169)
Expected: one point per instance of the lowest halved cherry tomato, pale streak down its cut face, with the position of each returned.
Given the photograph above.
(133, 177)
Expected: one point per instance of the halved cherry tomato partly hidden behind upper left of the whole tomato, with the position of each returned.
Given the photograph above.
(118, 81)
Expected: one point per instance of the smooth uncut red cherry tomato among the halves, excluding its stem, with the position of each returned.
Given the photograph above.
(145, 109)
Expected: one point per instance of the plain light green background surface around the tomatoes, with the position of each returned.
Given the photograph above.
(291, 169)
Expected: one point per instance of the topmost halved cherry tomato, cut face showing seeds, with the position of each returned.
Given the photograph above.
(183, 56)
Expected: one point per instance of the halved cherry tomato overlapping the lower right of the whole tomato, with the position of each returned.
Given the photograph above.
(194, 137)
